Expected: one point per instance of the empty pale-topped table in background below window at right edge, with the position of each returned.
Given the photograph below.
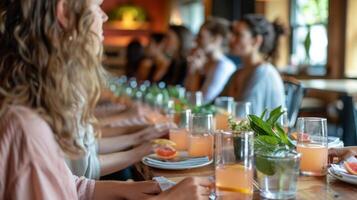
(347, 89)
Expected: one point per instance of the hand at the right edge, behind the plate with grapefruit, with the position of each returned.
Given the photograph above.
(339, 154)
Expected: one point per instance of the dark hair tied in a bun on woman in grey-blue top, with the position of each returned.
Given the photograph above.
(271, 32)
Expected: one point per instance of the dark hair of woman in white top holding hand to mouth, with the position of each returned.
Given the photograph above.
(217, 26)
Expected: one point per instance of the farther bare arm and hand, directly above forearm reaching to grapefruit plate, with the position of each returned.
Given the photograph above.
(118, 143)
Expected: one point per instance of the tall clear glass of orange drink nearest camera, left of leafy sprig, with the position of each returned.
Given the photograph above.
(233, 165)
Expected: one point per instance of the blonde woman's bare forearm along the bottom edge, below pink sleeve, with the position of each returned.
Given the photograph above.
(114, 190)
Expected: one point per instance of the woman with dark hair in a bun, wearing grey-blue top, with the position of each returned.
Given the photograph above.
(255, 41)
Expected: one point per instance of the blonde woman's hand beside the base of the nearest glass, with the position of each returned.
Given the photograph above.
(193, 188)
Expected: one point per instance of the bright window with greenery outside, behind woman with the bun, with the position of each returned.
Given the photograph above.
(309, 19)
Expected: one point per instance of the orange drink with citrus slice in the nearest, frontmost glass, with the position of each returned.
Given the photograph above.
(234, 181)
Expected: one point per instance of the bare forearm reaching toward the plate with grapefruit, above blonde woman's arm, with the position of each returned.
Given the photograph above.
(110, 163)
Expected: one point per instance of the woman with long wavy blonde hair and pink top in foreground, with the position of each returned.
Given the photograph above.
(49, 63)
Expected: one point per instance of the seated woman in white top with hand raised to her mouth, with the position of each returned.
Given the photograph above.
(209, 69)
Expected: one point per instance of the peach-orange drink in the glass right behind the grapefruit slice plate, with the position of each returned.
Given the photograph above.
(200, 145)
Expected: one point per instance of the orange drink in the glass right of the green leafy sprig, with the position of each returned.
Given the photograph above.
(313, 159)
